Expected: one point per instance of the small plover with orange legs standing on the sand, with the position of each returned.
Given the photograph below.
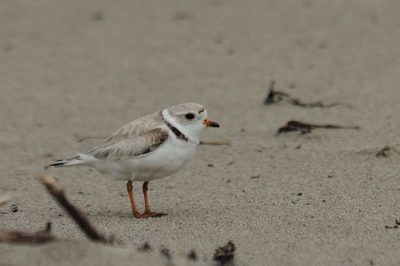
(148, 148)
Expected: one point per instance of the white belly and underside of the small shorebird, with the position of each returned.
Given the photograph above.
(166, 160)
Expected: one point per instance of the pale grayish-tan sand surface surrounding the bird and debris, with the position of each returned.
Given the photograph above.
(64, 75)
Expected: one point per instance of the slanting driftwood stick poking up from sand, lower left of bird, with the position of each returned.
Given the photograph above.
(79, 217)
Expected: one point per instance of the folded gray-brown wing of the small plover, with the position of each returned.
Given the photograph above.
(125, 148)
